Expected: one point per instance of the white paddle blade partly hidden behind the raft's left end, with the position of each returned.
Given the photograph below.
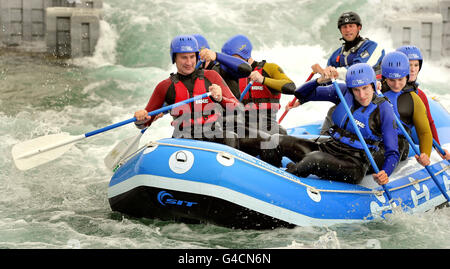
(121, 150)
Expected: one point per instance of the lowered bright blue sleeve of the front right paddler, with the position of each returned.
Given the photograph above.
(390, 138)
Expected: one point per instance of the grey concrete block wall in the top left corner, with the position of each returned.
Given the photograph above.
(64, 28)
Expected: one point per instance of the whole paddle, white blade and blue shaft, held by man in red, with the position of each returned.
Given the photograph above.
(37, 151)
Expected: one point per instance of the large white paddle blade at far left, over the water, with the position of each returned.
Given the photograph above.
(37, 151)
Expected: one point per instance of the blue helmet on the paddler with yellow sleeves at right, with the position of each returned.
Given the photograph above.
(395, 65)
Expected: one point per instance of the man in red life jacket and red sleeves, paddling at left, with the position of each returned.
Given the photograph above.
(198, 120)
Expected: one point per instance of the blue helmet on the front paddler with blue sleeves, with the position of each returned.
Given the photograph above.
(360, 74)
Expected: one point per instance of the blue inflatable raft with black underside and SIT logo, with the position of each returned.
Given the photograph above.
(201, 182)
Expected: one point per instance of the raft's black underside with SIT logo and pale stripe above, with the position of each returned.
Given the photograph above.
(204, 200)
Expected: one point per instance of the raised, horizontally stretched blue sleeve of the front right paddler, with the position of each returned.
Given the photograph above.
(312, 91)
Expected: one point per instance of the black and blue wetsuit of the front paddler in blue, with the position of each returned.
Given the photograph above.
(334, 159)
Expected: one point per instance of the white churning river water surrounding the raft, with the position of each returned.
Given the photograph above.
(63, 204)
